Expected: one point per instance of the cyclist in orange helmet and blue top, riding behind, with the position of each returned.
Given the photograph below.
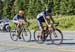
(19, 19)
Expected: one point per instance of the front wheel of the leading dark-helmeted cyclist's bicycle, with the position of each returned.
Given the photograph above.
(56, 37)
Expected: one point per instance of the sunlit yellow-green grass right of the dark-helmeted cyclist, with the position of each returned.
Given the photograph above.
(66, 22)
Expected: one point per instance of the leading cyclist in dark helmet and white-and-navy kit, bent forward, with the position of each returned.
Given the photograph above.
(42, 17)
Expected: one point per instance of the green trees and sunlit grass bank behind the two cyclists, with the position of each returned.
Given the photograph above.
(8, 8)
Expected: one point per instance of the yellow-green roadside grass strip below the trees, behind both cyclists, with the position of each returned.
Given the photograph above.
(65, 23)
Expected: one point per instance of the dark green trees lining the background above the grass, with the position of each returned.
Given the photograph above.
(33, 7)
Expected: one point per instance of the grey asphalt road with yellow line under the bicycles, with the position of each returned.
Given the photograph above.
(7, 45)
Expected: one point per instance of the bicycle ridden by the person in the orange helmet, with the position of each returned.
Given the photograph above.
(25, 33)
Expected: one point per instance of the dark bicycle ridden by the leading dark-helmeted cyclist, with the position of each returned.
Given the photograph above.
(54, 34)
